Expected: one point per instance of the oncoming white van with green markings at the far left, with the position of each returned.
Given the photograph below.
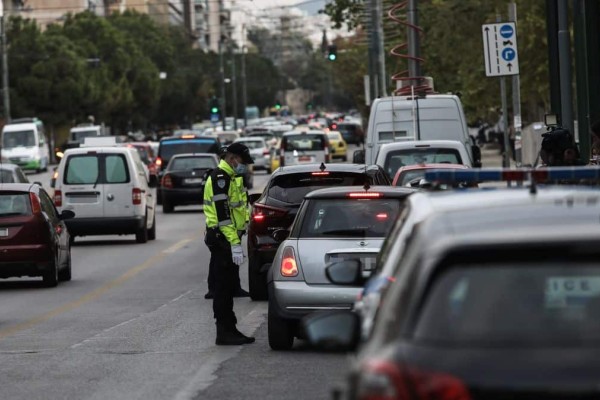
(24, 143)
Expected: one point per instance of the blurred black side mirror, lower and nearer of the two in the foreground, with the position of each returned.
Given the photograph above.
(332, 330)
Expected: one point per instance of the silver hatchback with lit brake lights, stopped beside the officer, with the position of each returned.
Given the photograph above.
(332, 225)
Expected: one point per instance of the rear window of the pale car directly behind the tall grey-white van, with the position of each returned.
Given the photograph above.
(400, 158)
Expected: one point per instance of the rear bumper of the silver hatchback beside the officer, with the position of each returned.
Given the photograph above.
(296, 299)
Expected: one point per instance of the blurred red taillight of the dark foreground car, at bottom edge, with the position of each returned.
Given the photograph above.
(384, 380)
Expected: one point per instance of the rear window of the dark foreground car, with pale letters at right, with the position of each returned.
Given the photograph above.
(547, 303)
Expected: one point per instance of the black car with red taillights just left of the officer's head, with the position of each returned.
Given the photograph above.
(183, 180)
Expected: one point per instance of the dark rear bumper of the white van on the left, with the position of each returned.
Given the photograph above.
(104, 226)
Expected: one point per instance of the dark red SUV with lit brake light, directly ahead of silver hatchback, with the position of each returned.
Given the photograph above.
(277, 206)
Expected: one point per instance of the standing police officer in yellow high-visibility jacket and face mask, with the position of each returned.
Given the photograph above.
(226, 210)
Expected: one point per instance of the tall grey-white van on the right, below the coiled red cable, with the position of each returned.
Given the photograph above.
(431, 117)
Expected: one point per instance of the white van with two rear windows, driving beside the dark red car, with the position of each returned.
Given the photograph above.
(110, 191)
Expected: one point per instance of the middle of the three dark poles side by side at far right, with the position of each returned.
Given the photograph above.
(564, 58)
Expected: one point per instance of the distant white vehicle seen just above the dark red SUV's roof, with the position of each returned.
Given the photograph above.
(304, 147)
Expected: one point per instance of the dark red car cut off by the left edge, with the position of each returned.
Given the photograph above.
(34, 240)
